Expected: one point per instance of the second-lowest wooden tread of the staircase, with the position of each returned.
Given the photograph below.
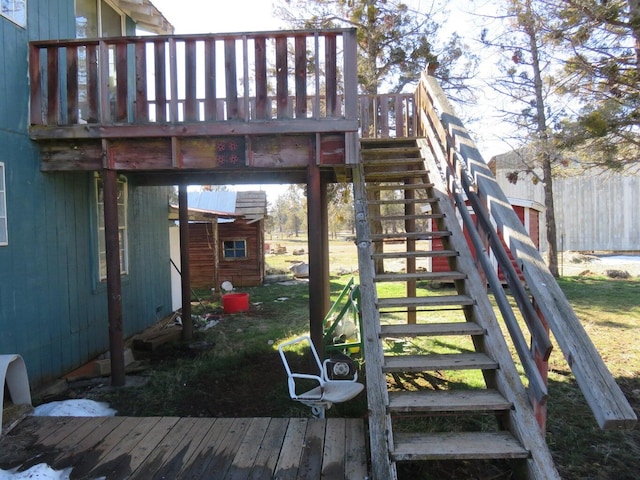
(448, 401)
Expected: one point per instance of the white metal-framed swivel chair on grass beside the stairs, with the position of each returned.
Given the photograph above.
(326, 390)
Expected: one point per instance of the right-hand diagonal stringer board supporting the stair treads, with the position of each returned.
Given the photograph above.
(522, 421)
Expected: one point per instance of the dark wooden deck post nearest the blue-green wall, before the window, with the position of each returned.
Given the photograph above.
(114, 285)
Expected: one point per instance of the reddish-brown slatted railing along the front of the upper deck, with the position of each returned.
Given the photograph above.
(246, 77)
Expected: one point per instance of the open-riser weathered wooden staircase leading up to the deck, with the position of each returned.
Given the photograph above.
(421, 328)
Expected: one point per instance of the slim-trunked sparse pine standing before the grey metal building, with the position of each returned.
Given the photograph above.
(527, 84)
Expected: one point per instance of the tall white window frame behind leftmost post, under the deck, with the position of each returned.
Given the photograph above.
(100, 228)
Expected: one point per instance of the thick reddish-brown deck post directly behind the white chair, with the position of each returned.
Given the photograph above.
(317, 216)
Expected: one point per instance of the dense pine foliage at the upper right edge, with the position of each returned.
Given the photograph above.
(602, 75)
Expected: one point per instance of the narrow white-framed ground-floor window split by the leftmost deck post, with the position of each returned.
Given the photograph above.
(122, 227)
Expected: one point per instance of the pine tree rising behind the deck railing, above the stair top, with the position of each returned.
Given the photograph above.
(395, 42)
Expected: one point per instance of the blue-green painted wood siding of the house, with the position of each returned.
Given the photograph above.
(52, 310)
